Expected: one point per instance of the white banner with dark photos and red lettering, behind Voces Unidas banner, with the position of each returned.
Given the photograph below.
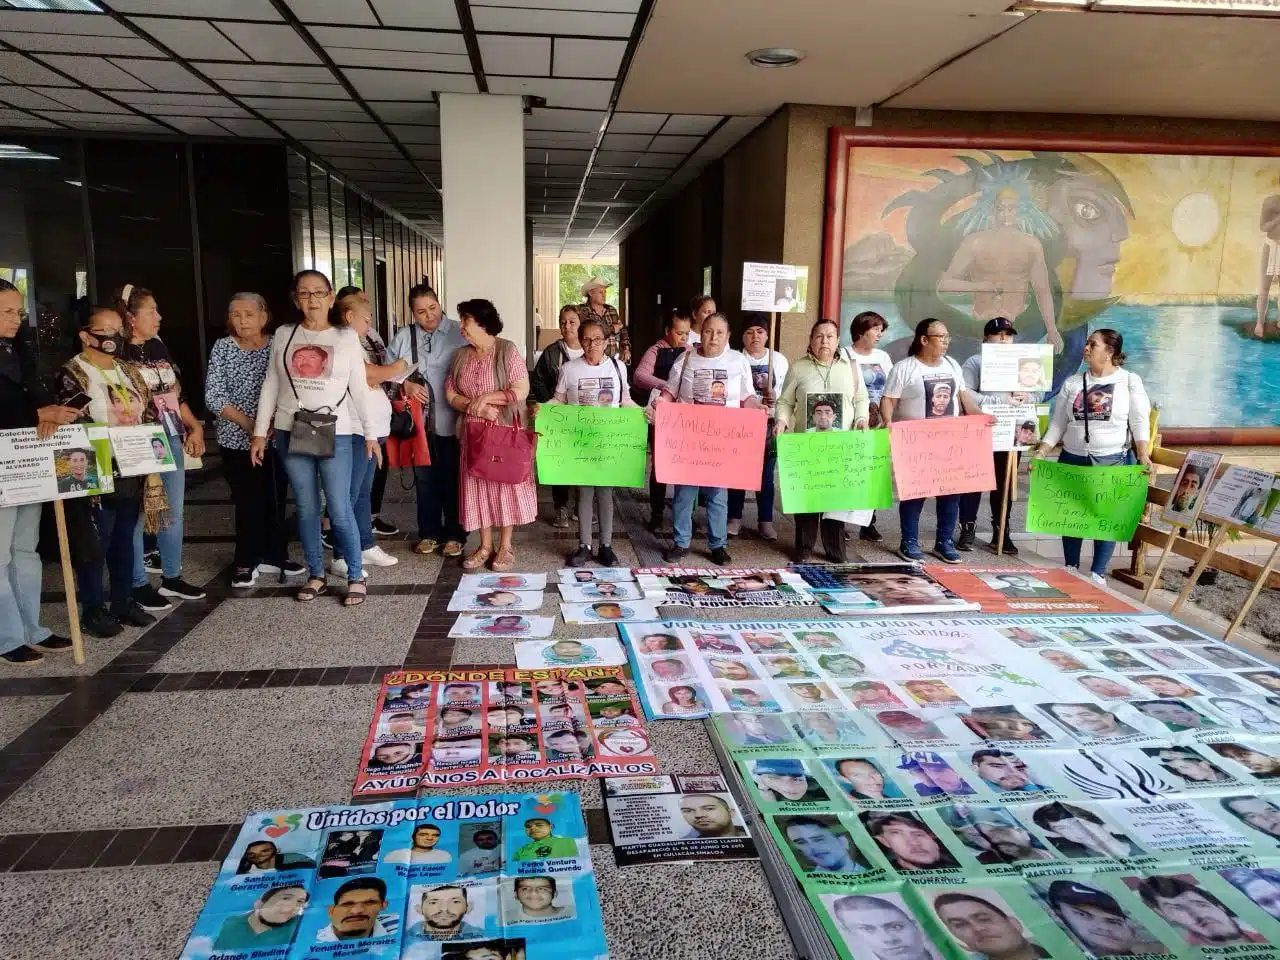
(724, 588)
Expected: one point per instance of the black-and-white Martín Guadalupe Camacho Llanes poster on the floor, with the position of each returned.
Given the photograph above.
(680, 819)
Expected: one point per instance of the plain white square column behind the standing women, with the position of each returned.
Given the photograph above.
(483, 167)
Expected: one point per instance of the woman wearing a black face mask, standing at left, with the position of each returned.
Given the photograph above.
(117, 396)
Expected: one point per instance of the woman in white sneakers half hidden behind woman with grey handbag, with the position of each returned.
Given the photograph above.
(355, 313)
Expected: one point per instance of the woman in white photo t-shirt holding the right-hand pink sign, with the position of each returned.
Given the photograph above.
(929, 385)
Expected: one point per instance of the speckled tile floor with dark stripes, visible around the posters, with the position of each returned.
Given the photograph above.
(124, 781)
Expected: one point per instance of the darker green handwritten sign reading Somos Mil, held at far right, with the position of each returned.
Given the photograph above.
(1094, 504)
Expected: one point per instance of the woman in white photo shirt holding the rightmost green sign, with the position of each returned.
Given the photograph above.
(1103, 420)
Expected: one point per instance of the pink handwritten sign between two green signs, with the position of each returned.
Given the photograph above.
(706, 446)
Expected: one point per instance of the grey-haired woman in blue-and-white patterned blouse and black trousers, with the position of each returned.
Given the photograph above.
(237, 368)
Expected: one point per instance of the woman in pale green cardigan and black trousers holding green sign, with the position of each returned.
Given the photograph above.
(824, 391)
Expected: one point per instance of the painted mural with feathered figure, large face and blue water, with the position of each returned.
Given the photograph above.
(1181, 254)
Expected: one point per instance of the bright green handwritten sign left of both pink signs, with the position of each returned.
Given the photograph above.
(592, 446)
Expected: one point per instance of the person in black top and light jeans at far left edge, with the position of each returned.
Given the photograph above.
(25, 403)
